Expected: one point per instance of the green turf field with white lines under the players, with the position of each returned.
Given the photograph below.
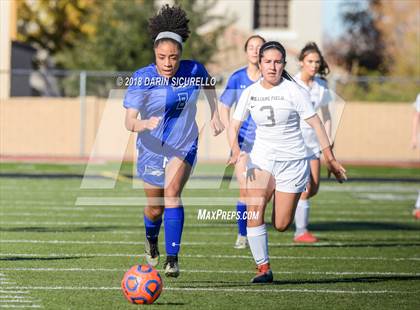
(63, 247)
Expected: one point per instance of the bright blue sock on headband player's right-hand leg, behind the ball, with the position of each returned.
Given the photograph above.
(174, 223)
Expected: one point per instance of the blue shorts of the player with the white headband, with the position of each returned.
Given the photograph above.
(151, 166)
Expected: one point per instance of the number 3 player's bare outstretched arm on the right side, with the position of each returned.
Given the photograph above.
(333, 165)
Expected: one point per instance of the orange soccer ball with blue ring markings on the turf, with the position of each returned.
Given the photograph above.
(141, 284)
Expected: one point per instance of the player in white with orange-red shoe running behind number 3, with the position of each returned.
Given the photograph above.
(313, 70)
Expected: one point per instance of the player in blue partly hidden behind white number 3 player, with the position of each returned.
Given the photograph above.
(237, 82)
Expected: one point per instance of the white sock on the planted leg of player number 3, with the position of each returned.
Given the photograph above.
(258, 243)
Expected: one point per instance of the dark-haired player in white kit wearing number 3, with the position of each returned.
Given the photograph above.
(278, 160)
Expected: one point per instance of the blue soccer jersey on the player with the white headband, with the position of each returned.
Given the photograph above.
(174, 100)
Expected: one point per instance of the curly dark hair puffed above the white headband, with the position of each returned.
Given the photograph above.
(172, 19)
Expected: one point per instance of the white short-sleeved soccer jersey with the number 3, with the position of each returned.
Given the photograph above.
(277, 113)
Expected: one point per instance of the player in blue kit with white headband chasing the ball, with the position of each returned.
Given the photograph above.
(165, 94)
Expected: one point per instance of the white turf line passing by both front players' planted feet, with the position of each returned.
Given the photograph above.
(343, 273)
